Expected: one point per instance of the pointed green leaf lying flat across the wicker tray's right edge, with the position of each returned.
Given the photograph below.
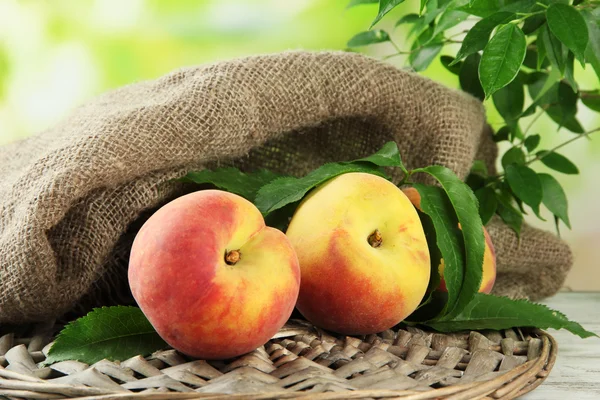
(493, 312)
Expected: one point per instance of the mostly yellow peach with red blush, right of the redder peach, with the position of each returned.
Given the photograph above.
(363, 255)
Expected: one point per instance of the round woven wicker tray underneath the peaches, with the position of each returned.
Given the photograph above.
(300, 362)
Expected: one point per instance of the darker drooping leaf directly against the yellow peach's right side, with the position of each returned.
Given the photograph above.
(437, 206)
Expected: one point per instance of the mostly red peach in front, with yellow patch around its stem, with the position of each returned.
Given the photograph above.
(211, 278)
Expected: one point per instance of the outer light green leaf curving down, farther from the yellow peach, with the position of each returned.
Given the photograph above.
(466, 208)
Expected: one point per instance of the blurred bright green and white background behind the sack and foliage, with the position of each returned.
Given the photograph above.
(56, 54)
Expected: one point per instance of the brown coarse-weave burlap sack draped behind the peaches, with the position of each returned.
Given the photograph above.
(73, 196)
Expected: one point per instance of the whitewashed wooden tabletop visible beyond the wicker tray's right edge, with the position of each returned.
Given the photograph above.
(576, 374)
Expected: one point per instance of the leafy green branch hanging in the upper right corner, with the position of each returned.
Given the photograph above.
(520, 55)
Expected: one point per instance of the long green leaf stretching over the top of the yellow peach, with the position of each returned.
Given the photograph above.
(281, 192)
